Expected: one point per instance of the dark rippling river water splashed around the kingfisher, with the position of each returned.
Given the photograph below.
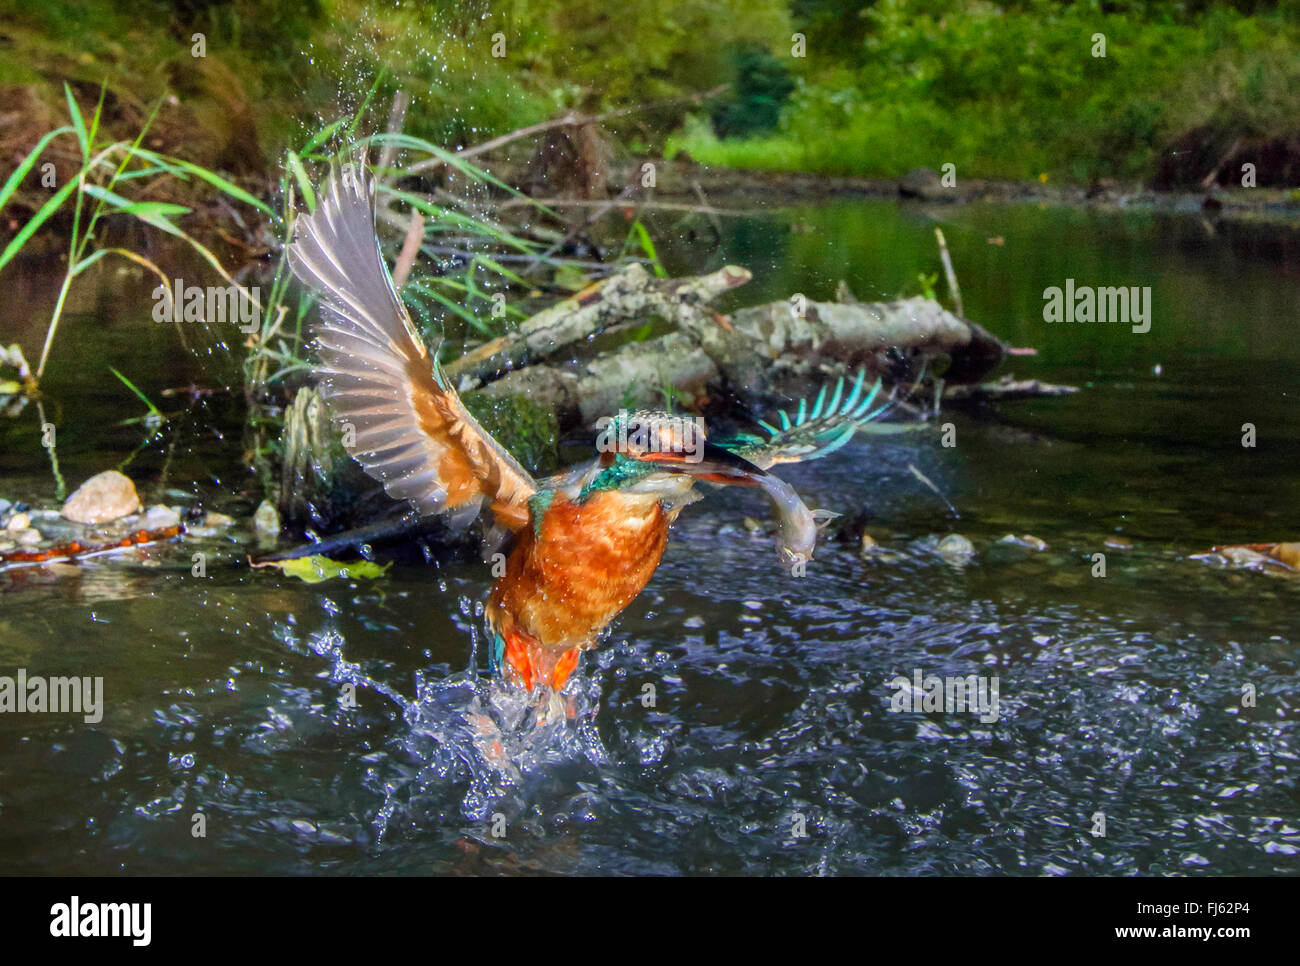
(738, 720)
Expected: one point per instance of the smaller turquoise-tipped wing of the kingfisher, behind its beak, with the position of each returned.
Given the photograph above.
(816, 431)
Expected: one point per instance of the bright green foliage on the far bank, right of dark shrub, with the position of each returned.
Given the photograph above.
(1013, 90)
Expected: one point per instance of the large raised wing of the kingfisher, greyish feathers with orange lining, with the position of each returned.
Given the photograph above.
(414, 435)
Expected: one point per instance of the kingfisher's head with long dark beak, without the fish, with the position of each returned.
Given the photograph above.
(649, 450)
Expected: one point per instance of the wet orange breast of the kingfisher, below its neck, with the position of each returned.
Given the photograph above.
(566, 584)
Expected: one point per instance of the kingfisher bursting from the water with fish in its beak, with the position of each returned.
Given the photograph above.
(580, 545)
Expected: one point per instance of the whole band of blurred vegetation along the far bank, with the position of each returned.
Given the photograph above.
(1002, 90)
